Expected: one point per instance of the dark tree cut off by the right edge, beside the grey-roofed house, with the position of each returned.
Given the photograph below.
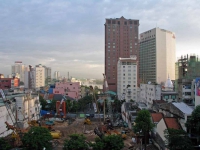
(193, 124)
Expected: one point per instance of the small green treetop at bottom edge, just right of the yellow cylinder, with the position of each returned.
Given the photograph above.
(76, 142)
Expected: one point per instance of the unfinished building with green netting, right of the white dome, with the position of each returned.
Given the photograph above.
(187, 69)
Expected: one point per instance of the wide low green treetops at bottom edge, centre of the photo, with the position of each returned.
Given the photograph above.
(111, 142)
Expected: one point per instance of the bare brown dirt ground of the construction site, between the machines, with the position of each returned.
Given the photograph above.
(78, 127)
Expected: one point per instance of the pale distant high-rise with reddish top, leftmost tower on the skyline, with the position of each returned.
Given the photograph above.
(18, 69)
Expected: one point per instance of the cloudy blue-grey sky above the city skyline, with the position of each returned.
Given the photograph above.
(68, 35)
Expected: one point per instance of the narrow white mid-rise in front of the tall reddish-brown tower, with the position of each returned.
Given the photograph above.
(127, 79)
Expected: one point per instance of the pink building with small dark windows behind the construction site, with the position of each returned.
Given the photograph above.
(71, 89)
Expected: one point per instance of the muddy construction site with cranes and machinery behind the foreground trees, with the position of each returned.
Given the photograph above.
(61, 127)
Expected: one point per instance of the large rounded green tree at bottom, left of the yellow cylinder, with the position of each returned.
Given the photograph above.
(37, 138)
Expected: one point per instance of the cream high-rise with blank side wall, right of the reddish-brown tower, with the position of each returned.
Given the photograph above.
(157, 56)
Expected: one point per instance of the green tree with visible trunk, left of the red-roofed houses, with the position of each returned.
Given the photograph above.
(143, 124)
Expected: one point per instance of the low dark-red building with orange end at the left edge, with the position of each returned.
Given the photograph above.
(7, 83)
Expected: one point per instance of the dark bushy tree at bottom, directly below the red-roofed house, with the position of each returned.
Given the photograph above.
(177, 139)
